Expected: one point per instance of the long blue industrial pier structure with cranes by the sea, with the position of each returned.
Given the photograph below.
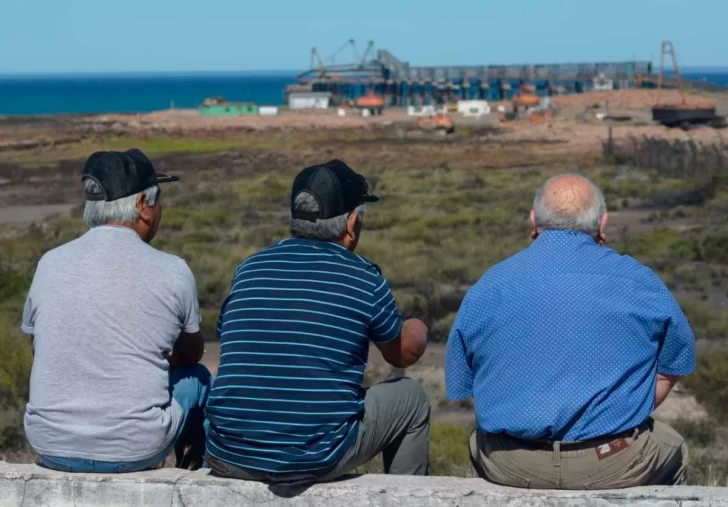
(401, 84)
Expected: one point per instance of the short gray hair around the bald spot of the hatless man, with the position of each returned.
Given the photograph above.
(586, 220)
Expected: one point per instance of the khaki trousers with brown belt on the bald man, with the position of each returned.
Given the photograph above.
(654, 454)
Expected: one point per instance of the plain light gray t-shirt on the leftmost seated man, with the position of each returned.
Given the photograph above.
(104, 311)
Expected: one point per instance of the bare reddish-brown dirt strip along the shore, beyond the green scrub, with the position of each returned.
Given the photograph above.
(574, 122)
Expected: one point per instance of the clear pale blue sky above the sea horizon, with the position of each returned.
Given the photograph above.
(79, 36)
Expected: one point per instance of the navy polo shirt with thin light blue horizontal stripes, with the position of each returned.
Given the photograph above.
(294, 333)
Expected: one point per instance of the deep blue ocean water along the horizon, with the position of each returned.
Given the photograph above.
(144, 93)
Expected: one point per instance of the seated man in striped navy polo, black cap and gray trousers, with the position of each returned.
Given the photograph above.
(287, 406)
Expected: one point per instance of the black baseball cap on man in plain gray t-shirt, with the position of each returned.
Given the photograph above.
(121, 174)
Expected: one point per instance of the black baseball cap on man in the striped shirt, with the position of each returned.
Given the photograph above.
(335, 186)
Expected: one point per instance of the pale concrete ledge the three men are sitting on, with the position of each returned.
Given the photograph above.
(29, 485)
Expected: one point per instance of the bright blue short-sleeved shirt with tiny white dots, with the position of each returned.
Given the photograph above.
(563, 341)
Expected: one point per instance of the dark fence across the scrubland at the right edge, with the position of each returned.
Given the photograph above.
(679, 159)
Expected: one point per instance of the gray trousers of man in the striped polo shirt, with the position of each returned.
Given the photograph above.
(396, 422)
